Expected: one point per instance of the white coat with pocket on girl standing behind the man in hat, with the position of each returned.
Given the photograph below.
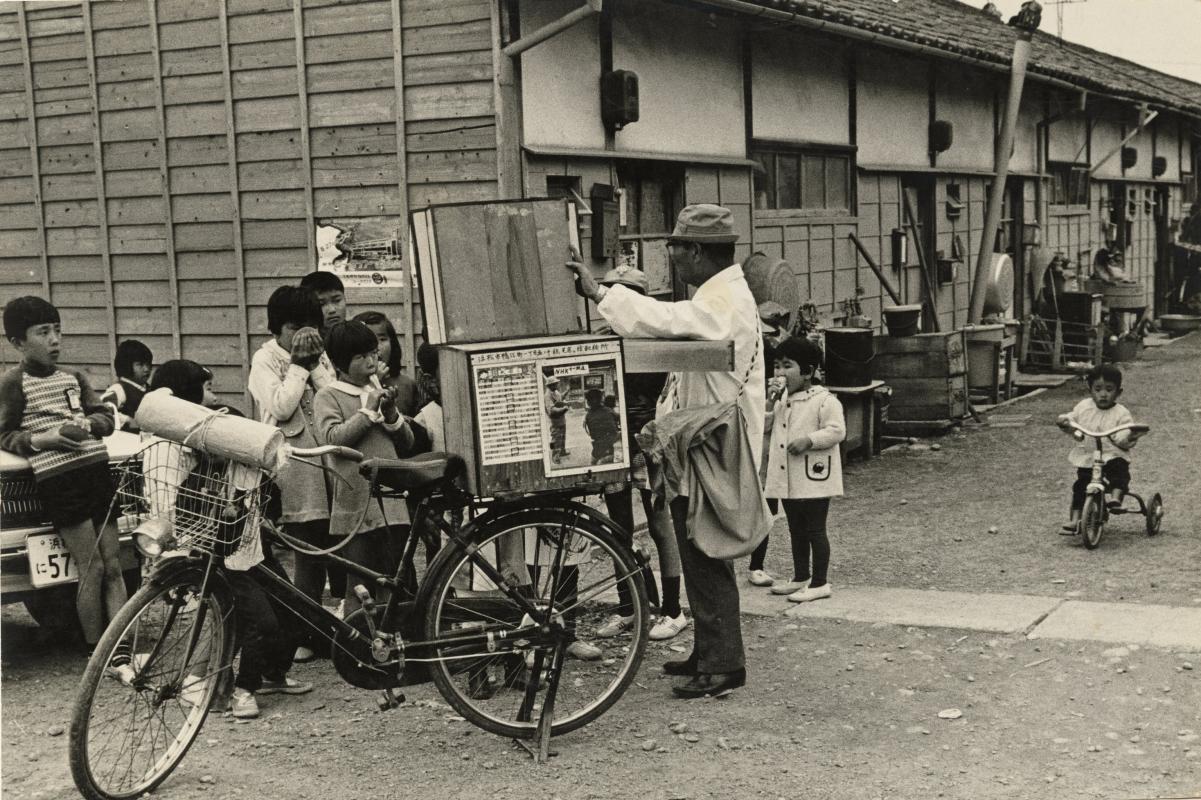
(817, 473)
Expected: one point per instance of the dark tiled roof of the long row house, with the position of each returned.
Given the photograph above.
(965, 31)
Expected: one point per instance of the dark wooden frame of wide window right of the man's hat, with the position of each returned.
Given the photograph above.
(804, 153)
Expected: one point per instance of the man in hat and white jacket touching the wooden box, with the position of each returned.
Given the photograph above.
(702, 252)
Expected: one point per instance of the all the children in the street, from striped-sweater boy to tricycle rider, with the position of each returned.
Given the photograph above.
(326, 380)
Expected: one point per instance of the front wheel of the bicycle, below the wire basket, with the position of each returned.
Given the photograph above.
(132, 727)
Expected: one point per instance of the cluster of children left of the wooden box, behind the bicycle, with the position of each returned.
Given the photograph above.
(321, 379)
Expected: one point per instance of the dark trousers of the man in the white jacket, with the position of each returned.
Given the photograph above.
(714, 598)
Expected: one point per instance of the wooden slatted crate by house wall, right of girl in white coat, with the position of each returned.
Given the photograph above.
(928, 374)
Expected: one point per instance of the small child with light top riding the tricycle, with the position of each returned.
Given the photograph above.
(1100, 411)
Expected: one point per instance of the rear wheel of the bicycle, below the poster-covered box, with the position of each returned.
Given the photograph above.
(577, 576)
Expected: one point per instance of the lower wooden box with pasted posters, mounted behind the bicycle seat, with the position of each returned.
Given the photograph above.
(495, 403)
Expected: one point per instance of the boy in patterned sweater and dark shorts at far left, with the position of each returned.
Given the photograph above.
(53, 419)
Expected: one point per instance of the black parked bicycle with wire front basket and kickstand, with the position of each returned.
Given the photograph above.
(494, 646)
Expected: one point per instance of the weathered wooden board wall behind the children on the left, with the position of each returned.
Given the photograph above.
(163, 162)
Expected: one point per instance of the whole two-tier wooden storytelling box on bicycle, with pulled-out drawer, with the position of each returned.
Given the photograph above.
(503, 309)
